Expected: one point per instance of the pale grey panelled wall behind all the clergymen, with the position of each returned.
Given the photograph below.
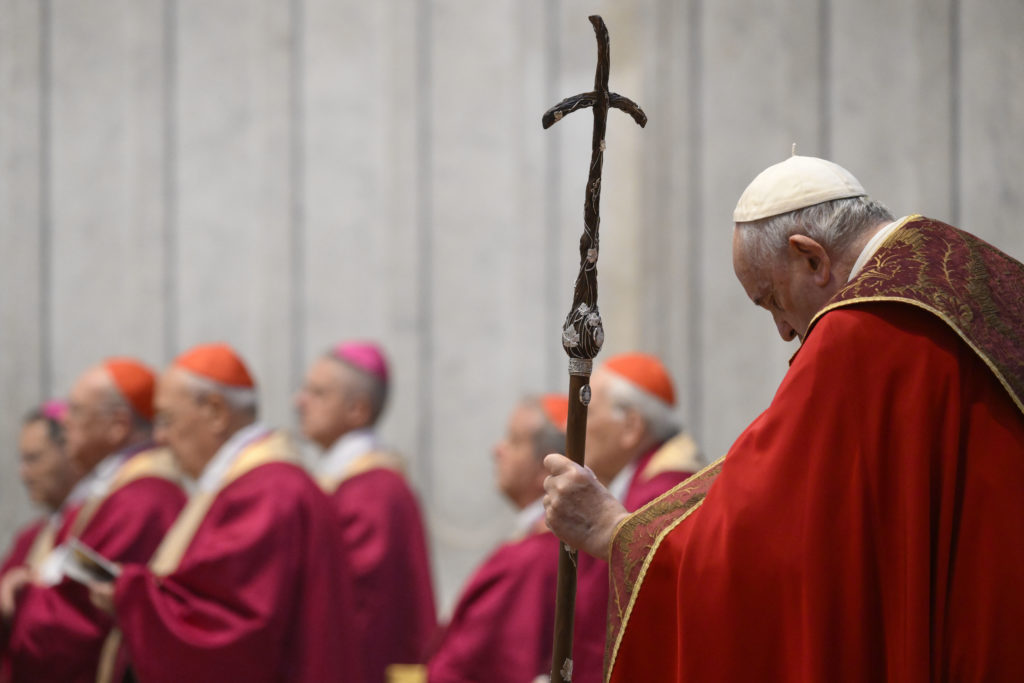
(284, 174)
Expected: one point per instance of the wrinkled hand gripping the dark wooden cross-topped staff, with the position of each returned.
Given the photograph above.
(580, 510)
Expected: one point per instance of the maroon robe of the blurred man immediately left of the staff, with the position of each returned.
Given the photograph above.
(503, 626)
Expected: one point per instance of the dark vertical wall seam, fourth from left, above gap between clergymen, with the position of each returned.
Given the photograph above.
(424, 221)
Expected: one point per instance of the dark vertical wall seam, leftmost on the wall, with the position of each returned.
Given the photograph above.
(46, 200)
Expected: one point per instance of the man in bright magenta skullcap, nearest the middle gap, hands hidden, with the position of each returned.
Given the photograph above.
(381, 526)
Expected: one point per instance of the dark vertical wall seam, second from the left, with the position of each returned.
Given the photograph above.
(170, 182)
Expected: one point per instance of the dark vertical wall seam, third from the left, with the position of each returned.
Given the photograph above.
(296, 161)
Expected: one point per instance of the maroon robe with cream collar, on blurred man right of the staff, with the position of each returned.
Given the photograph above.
(658, 472)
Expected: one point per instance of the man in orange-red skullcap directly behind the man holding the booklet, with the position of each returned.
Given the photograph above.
(133, 495)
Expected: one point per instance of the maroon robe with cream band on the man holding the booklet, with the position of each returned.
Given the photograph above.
(249, 586)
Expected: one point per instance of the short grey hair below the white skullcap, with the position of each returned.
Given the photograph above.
(836, 226)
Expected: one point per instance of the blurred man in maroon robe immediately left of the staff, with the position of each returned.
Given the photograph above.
(502, 628)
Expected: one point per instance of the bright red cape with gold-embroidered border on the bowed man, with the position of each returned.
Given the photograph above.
(870, 525)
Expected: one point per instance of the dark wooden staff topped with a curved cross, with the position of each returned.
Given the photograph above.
(583, 333)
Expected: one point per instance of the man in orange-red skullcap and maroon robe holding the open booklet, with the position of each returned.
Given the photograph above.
(249, 584)
